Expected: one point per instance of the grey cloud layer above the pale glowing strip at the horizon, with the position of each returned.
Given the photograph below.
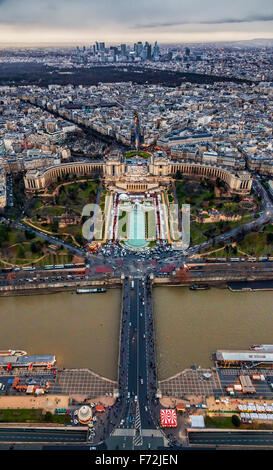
(130, 12)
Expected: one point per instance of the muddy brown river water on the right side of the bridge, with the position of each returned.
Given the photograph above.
(191, 325)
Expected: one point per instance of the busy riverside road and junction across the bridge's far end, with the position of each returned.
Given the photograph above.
(198, 272)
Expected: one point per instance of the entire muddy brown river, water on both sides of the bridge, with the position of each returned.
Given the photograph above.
(83, 330)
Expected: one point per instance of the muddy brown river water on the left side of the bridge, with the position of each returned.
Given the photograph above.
(80, 330)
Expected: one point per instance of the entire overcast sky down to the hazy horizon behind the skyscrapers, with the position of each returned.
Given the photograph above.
(176, 21)
